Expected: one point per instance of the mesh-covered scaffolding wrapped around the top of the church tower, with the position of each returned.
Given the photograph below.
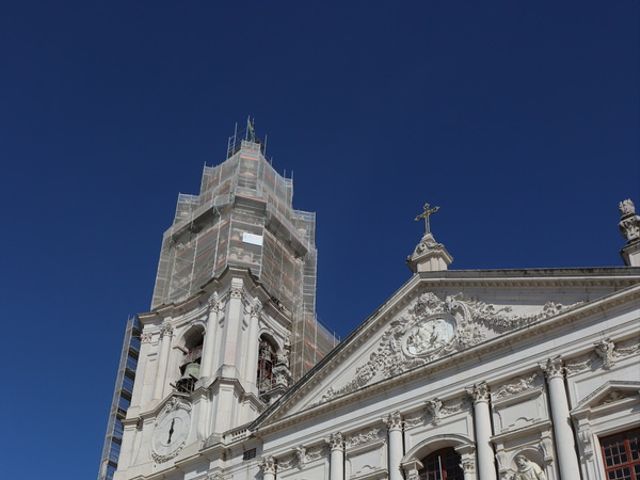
(243, 216)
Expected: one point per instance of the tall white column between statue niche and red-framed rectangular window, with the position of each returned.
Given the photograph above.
(565, 444)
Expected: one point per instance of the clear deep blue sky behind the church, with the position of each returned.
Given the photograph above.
(520, 119)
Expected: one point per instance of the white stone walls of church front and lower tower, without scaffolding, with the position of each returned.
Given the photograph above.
(515, 374)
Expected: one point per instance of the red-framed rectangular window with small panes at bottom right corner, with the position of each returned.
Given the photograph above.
(621, 455)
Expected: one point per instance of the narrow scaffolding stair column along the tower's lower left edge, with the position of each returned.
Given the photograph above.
(121, 400)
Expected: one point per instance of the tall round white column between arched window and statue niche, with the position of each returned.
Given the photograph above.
(482, 422)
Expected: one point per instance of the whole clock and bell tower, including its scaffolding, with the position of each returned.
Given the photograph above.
(232, 321)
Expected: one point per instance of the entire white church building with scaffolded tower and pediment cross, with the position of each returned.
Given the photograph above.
(460, 375)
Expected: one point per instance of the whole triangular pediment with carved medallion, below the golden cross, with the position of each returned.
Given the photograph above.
(430, 320)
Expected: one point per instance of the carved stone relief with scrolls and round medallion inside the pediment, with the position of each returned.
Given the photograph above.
(432, 328)
